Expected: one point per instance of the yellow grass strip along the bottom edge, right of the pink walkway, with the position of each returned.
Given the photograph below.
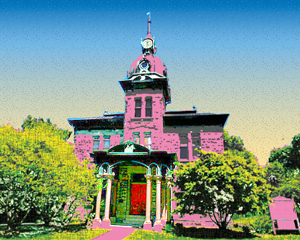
(143, 234)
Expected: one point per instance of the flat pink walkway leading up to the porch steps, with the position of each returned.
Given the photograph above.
(117, 233)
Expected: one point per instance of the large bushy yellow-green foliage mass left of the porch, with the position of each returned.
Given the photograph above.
(38, 169)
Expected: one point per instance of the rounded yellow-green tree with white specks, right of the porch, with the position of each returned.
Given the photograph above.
(220, 186)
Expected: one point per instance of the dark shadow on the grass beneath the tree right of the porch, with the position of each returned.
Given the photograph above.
(209, 233)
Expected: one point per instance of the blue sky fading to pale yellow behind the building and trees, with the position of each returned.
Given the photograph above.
(63, 59)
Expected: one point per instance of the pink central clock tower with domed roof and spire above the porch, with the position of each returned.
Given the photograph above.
(147, 93)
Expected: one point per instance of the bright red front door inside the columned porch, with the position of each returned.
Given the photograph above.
(138, 199)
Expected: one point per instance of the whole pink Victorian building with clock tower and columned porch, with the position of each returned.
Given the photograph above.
(135, 150)
